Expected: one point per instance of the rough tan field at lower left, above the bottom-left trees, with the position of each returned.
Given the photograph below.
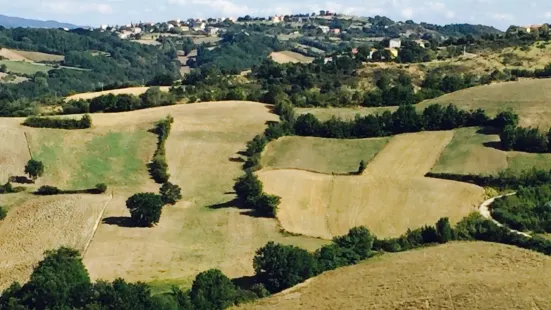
(45, 223)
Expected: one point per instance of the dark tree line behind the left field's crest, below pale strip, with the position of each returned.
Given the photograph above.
(153, 97)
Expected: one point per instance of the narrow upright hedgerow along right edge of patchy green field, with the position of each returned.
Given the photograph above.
(158, 168)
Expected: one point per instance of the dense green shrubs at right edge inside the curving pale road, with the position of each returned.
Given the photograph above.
(528, 210)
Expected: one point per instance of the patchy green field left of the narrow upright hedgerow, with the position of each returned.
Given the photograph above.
(82, 159)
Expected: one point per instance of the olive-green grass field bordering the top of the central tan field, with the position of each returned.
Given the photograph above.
(319, 154)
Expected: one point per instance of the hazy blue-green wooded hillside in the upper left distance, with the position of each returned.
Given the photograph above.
(102, 57)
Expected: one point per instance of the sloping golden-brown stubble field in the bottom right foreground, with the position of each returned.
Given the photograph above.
(467, 276)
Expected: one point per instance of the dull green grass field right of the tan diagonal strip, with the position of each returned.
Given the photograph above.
(473, 152)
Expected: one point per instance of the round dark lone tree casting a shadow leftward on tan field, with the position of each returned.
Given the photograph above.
(145, 208)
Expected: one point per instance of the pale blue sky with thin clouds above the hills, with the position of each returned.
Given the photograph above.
(498, 13)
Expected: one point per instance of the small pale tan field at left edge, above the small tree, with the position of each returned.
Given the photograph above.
(14, 153)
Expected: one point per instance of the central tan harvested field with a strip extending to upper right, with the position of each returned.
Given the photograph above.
(391, 196)
